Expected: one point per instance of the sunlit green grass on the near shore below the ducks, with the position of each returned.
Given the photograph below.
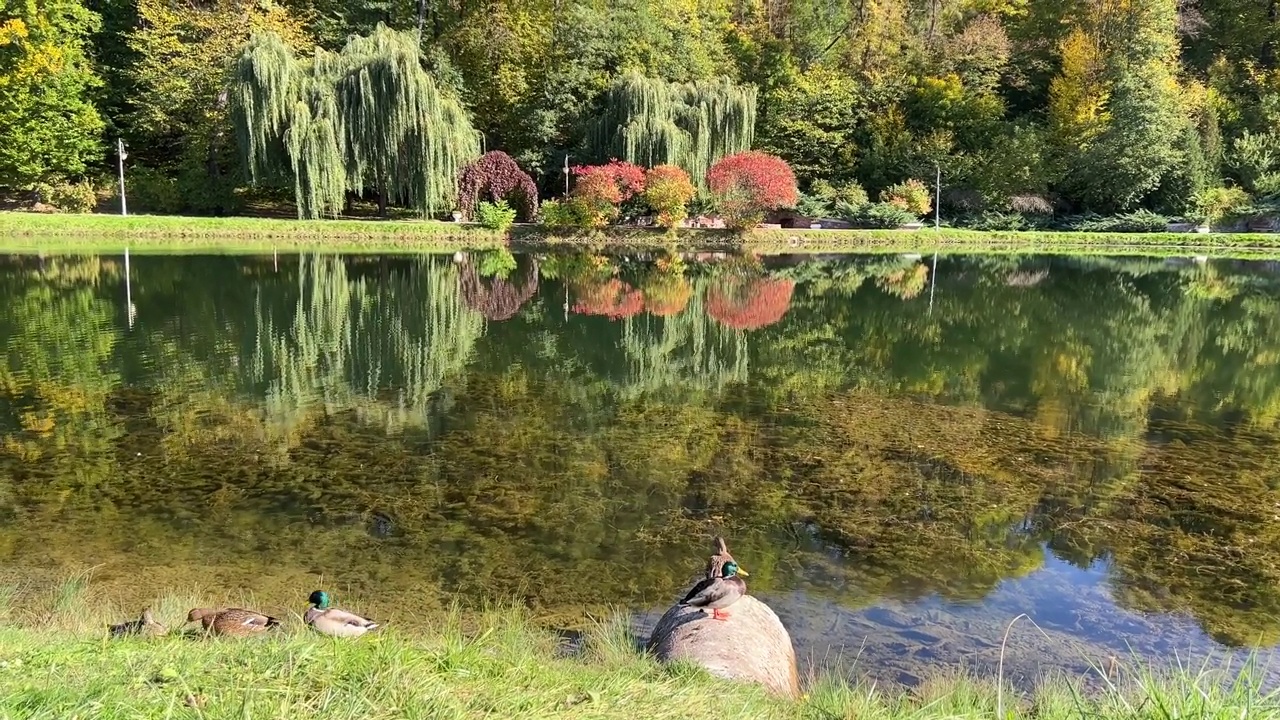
(57, 663)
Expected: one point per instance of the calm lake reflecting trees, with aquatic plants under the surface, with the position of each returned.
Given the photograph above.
(906, 453)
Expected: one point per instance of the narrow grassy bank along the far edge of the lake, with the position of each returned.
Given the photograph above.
(30, 233)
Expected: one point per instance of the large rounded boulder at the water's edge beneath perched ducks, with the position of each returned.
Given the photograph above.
(752, 645)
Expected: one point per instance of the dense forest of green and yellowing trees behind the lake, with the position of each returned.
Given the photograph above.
(1028, 108)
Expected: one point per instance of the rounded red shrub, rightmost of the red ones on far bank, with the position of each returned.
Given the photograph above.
(749, 185)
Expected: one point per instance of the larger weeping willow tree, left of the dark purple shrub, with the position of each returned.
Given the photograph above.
(369, 117)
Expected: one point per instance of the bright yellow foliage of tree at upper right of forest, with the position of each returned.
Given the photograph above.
(1078, 95)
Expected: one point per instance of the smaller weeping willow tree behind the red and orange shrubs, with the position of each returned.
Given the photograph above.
(652, 122)
